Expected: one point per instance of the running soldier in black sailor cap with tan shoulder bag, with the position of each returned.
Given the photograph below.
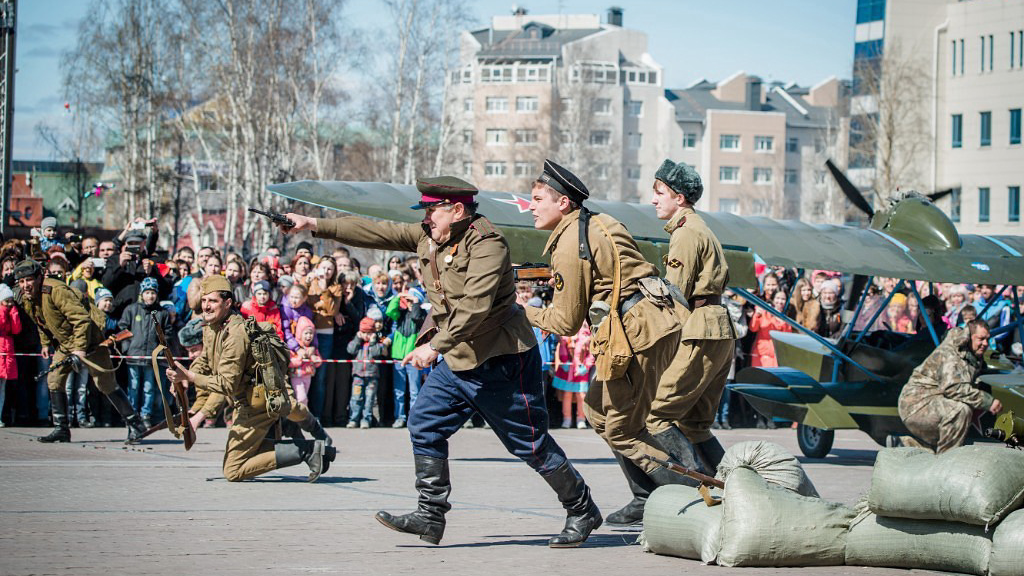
(599, 270)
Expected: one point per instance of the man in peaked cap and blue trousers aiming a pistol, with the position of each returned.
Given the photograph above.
(491, 364)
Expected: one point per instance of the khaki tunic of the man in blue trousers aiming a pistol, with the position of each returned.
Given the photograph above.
(474, 302)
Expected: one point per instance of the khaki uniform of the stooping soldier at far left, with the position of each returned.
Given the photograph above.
(65, 321)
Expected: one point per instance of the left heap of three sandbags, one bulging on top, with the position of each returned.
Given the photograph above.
(761, 522)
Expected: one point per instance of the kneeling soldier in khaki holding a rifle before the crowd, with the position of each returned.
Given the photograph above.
(227, 366)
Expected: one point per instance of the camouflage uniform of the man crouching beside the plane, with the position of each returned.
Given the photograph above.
(938, 401)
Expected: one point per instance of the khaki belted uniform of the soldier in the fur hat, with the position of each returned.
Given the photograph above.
(692, 388)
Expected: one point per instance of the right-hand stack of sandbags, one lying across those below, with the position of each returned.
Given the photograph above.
(937, 512)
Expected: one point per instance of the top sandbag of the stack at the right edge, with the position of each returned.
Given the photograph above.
(972, 484)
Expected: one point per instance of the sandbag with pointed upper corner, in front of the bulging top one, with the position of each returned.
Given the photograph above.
(767, 525)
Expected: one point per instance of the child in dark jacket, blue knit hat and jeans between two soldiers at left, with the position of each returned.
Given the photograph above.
(139, 318)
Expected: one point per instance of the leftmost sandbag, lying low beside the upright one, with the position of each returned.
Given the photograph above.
(676, 522)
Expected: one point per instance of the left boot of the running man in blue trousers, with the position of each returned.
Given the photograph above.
(429, 519)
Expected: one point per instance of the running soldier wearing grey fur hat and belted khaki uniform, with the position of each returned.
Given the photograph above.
(691, 389)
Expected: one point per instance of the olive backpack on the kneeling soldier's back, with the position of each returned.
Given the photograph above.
(272, 357)
